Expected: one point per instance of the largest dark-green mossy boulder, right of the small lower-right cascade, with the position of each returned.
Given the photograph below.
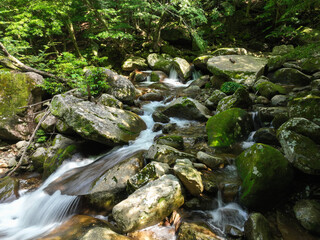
(264, 172)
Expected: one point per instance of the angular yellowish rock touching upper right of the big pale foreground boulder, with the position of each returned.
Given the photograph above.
(189, 176)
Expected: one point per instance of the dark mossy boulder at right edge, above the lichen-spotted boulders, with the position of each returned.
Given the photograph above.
(307, 107)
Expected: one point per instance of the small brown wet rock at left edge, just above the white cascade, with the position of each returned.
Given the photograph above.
(9, 189)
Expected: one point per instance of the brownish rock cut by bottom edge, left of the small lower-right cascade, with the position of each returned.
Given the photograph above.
(190, 231)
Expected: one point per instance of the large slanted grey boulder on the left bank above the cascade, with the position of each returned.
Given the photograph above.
(96, 122)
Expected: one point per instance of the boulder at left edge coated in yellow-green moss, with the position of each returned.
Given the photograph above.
(17, 90)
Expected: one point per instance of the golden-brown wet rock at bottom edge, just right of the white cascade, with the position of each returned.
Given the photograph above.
(84, 228)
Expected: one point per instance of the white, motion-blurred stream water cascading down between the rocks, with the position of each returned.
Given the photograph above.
(38, 212)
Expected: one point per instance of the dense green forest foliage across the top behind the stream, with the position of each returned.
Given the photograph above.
(63, 37)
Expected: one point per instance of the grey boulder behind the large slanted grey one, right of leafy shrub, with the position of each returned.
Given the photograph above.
(120, 87)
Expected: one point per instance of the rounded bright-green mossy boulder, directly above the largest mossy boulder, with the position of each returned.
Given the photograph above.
(228, 127)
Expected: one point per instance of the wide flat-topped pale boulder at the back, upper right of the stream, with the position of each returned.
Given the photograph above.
(238, 67)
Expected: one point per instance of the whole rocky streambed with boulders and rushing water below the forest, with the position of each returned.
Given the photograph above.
(233, 154)
